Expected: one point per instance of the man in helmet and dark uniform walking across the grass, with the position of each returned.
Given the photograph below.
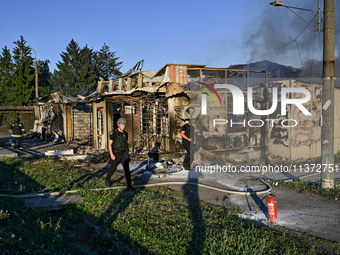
(119, 153)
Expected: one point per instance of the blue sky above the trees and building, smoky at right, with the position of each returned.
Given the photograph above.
(214, 33)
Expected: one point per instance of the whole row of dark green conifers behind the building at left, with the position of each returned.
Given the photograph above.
(77, 72)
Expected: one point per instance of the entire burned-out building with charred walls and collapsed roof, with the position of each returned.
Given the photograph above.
(157, 104)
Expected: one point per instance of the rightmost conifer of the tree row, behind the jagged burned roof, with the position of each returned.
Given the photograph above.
(107, 65)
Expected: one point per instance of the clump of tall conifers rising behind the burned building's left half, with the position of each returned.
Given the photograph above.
(80, 69)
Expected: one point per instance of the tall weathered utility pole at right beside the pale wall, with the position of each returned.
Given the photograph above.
(327, 132)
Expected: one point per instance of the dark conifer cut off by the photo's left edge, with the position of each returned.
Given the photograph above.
(6, 73)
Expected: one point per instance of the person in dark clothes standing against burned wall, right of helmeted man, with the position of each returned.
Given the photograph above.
(188, 140)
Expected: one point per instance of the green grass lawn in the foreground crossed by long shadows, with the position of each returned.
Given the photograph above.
(147, 221)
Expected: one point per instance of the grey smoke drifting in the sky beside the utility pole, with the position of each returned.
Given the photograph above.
(281, 36)
